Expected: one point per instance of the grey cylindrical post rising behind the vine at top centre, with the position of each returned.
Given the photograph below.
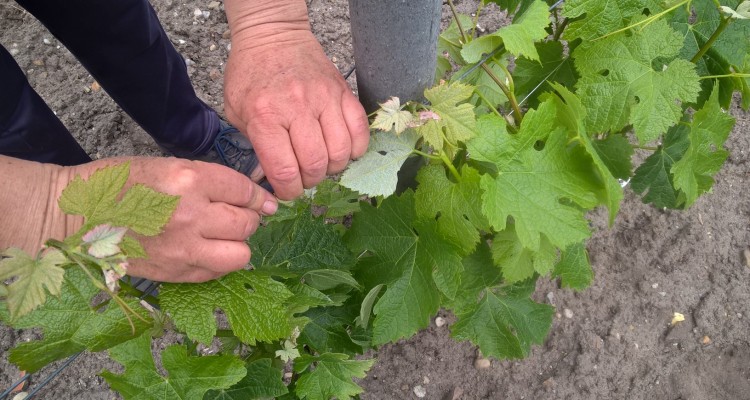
(395, 48)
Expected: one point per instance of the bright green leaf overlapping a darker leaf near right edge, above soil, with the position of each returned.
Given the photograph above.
(710, 128)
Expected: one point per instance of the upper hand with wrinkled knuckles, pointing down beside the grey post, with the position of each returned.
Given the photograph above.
(299, 113)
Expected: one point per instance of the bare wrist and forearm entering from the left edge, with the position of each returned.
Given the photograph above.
(29, 214)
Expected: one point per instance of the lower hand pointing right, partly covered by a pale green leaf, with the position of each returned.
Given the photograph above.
(218, 210)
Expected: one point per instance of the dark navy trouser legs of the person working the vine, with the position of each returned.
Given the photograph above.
(124, 47)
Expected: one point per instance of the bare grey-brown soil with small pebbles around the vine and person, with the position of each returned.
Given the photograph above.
(612, 341)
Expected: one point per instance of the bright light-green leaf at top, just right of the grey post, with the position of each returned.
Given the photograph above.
(519, 37)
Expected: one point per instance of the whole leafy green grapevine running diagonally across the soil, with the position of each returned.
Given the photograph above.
(526, 130)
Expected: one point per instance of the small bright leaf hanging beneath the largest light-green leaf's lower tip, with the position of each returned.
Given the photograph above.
(517, 262)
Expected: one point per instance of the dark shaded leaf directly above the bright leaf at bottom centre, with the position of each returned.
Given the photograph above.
(327, 330)
